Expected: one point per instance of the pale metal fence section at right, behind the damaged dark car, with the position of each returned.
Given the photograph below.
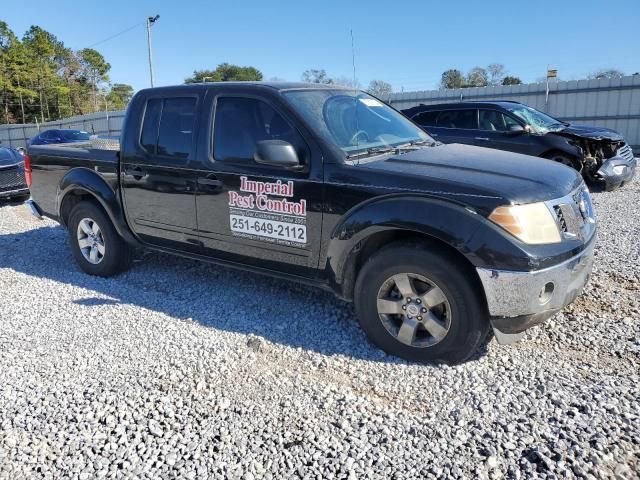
(612, 103)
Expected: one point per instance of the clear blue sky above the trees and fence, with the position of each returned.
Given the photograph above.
(408, 43)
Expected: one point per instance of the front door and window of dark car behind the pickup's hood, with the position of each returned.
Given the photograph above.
(493, 132)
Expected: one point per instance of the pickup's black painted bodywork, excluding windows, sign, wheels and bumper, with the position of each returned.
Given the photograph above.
(443, 191)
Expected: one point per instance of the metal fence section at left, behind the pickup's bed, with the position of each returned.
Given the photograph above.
(100, 123)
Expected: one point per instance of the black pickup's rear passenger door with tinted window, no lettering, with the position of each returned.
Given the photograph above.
(158, 177)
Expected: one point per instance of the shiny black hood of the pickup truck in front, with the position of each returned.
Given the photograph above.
(461, 171)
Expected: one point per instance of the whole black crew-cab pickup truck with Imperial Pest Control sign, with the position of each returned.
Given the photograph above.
(437, 245)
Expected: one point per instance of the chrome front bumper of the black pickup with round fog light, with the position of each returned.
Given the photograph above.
(519, 300)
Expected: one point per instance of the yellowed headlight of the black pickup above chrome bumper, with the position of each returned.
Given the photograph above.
(532, 223)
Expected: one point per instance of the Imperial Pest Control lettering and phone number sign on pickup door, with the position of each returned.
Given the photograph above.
(264, 211)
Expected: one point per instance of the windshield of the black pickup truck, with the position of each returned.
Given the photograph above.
(355, 122)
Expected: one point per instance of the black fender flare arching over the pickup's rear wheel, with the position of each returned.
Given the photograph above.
(93, 184)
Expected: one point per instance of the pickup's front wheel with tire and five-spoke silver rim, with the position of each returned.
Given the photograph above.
(456, 322)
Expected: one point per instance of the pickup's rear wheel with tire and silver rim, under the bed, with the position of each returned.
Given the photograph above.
(96, 246)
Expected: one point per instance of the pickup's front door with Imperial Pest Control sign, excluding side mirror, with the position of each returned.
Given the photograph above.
(252, 213)
